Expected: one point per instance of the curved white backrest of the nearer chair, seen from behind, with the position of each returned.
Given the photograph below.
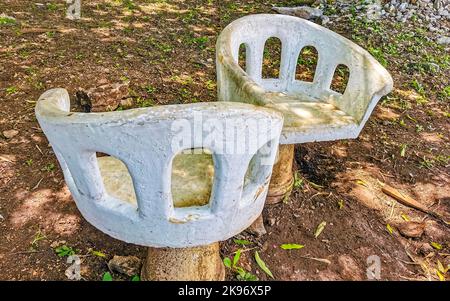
(146, 140)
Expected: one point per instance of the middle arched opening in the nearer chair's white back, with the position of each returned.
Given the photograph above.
(192, 178)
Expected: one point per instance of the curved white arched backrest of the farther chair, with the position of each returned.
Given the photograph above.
(367, 82)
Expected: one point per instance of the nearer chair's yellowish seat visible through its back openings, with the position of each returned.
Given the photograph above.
(192, 178)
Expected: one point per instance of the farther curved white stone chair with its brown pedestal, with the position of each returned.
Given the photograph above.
(312, 110)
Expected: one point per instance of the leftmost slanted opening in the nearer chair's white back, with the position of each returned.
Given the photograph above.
(116, 179)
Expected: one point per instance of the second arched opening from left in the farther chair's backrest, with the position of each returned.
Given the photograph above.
(271, 58)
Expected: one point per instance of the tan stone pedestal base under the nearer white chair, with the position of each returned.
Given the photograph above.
(184, 264)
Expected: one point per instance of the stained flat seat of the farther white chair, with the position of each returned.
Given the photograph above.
(307, 119)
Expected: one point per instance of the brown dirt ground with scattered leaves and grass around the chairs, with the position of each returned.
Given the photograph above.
(163, 52)
